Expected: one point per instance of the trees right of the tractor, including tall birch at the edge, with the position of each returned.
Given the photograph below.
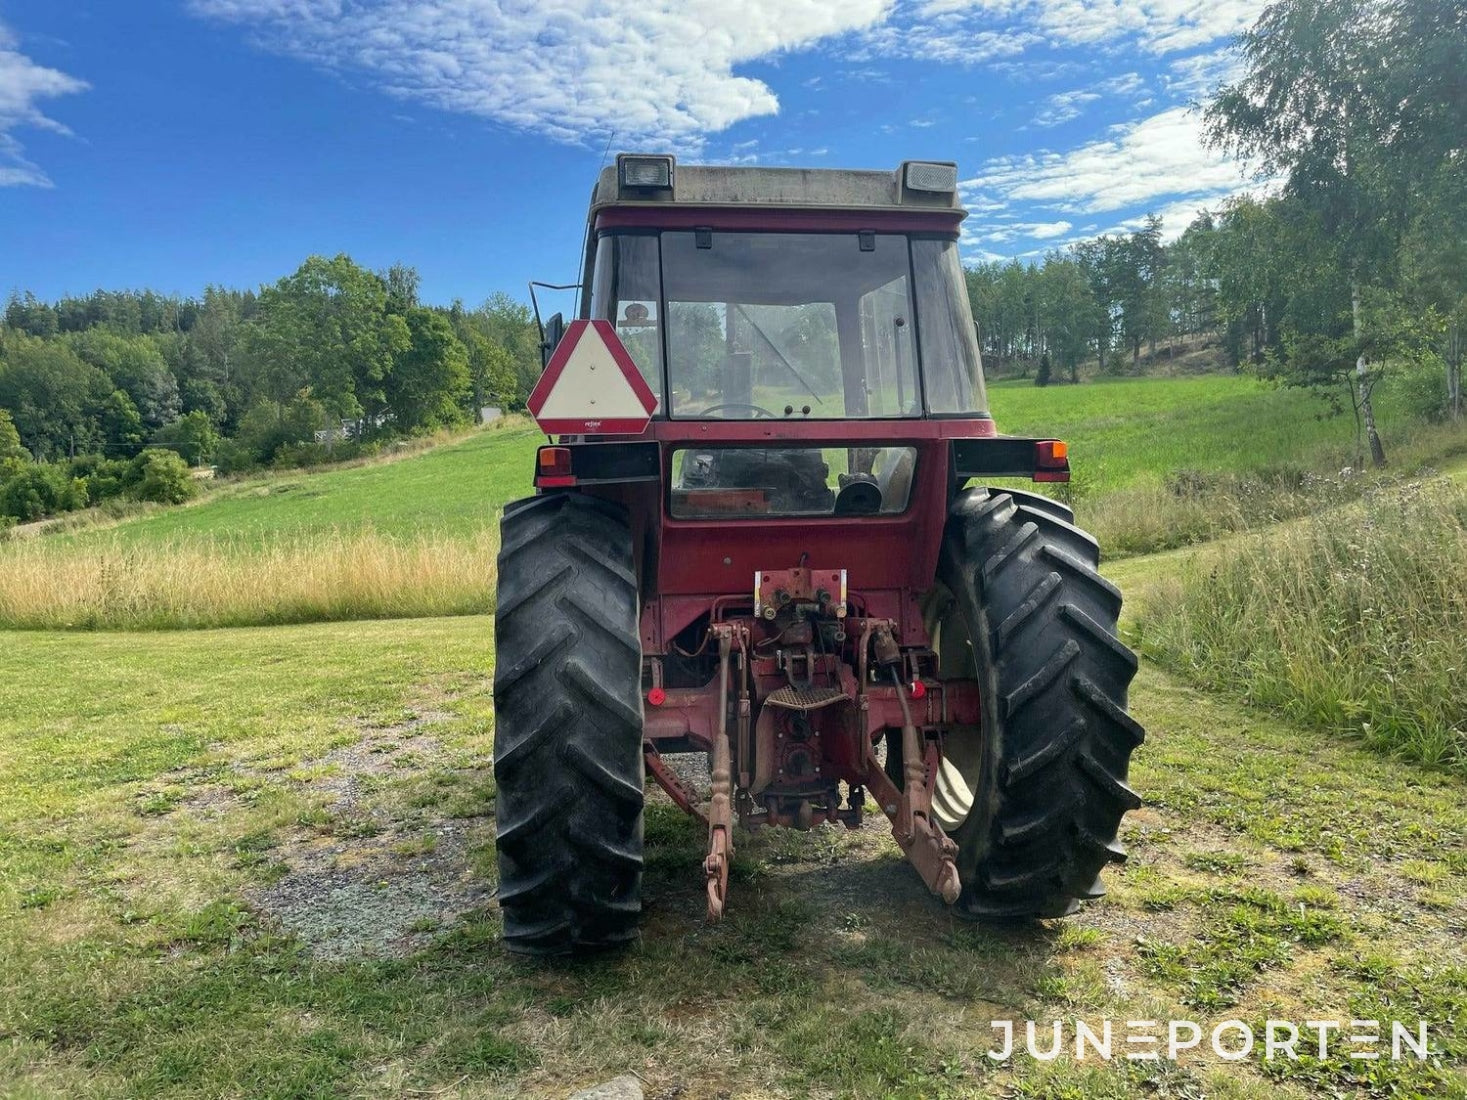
(1350, 266)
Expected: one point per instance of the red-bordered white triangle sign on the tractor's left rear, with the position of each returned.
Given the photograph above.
(592, 386)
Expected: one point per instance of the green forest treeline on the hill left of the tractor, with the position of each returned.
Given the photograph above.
(329, 363)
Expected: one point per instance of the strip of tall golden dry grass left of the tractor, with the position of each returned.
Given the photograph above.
(196, 583)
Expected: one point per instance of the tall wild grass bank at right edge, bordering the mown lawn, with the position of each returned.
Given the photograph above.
(1355, 621)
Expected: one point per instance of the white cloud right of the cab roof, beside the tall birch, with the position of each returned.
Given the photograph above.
(1161, 158)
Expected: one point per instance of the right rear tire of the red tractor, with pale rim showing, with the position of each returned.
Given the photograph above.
(1036, 796)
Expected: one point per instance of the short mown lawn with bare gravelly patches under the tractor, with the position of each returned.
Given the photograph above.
(257, 863)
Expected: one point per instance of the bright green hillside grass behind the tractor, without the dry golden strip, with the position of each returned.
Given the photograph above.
(1122, 433)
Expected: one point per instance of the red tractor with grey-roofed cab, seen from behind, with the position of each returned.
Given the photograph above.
(755, 538)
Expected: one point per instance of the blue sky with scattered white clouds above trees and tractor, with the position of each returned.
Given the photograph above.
(181, 143)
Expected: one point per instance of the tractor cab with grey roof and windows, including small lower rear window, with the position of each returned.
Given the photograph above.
(794, 306)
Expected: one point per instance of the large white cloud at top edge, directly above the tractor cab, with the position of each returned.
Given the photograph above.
(645, 71)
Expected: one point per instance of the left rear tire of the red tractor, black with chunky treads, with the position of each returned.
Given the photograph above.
(568, 722)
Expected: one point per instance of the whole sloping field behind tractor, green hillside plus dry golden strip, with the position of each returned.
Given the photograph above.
(1158, 464)
